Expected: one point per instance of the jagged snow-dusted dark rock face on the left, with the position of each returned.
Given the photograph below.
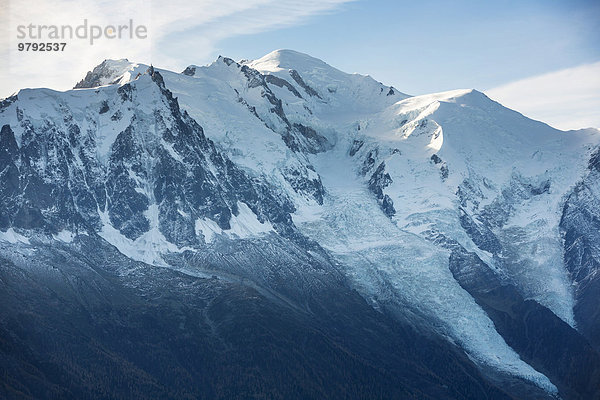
(176, 167)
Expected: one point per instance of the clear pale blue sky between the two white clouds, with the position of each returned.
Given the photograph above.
(428, 45)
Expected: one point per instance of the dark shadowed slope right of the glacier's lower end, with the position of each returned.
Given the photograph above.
(540, 337)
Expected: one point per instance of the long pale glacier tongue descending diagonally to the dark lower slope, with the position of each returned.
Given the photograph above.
(394, 267)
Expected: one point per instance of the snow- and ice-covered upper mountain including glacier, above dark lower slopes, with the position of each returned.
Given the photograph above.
(419, 200)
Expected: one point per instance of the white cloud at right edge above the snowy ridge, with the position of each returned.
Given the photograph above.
(566, 99)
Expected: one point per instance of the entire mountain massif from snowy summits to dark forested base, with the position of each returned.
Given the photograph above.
(278, 228)
